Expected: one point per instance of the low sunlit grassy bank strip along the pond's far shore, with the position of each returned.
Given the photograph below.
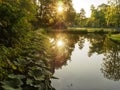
(86, 30)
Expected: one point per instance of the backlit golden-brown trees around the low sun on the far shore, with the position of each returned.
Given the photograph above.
(48, 16)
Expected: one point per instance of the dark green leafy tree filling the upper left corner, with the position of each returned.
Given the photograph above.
(12, 15)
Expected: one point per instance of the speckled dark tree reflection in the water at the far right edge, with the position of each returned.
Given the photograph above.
(111, 65)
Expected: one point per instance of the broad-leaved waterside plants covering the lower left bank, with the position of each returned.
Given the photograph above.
(27, 68)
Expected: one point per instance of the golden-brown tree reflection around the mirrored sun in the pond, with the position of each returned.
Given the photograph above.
(63, 53)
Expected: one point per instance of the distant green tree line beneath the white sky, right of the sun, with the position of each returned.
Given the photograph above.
(105, 15)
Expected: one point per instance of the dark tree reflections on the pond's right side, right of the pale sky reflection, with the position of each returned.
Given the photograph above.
(111, 50)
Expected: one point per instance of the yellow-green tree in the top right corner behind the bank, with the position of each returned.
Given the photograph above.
(113, 13)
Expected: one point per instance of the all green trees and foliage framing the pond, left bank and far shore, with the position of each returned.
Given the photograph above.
(24, 52)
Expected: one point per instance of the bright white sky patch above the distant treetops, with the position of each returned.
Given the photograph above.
(78, 4)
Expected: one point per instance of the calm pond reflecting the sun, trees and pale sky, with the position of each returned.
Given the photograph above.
(85, 62)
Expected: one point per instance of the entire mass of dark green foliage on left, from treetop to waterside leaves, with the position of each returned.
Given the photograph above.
(23, 53)
